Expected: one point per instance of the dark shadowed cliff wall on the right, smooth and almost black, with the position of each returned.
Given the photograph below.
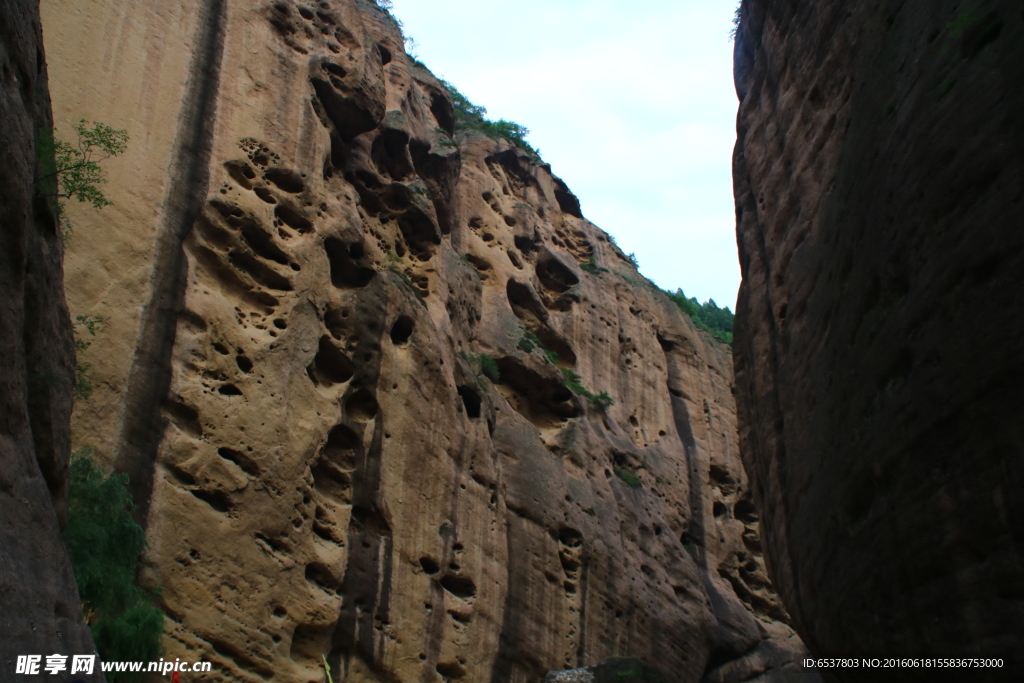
(878, 335)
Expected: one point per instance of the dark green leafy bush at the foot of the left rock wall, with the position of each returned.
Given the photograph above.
(106, 545)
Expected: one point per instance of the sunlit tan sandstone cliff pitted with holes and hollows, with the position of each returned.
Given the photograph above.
(348, 365)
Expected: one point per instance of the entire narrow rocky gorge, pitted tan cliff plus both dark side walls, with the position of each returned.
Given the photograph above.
(393, 410)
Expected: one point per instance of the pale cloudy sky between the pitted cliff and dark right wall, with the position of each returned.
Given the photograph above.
(632, 105)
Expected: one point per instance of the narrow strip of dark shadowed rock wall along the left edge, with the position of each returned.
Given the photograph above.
(41, 613)
